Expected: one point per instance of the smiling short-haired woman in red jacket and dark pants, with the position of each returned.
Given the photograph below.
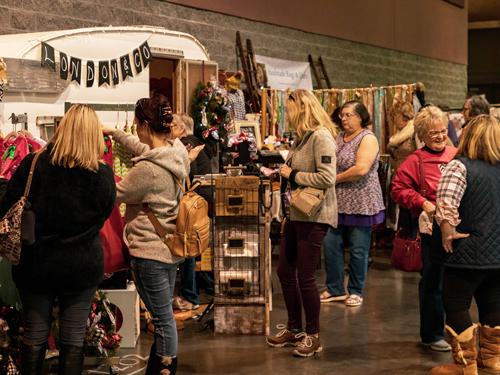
(431, 125)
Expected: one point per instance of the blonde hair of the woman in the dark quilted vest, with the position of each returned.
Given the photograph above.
(480, 139)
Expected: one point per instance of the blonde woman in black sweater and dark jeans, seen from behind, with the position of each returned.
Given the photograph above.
(72, 194)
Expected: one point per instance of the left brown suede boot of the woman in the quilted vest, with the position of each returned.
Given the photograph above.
(464, 352)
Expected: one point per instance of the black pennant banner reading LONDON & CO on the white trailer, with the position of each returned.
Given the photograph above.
(106, 72)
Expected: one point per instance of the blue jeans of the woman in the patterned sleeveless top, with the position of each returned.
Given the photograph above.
(358, 240)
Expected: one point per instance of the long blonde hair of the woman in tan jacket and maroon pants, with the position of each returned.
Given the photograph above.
(305, 112)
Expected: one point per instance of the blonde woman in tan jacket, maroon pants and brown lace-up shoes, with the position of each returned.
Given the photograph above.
(310, 163)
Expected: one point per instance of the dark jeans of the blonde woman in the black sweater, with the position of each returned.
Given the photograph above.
(74, 308)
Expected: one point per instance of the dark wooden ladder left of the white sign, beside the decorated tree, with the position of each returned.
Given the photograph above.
(249, 66)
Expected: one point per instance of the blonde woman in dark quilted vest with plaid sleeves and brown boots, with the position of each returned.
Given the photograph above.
(468, 216)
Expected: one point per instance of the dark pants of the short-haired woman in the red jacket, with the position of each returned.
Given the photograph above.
(430, 291)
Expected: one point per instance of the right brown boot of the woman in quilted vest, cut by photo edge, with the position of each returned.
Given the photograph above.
(488, 358)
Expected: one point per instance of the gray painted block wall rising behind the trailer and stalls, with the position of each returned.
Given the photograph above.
(349, 64)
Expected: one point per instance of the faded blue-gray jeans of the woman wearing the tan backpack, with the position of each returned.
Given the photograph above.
(155, 283)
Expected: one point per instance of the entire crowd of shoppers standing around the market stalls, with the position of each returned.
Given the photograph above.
(442, 190)
